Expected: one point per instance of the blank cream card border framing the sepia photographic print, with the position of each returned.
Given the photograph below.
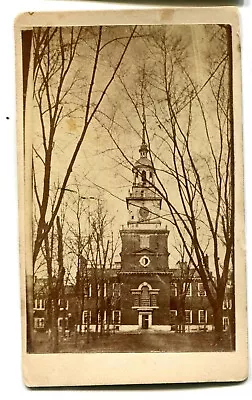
(116, 368)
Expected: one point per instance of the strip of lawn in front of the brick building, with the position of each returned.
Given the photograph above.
(137, 343)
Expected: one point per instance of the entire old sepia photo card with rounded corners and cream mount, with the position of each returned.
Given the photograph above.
(131, 197)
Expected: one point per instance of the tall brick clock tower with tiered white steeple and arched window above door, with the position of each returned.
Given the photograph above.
(145, 273)
